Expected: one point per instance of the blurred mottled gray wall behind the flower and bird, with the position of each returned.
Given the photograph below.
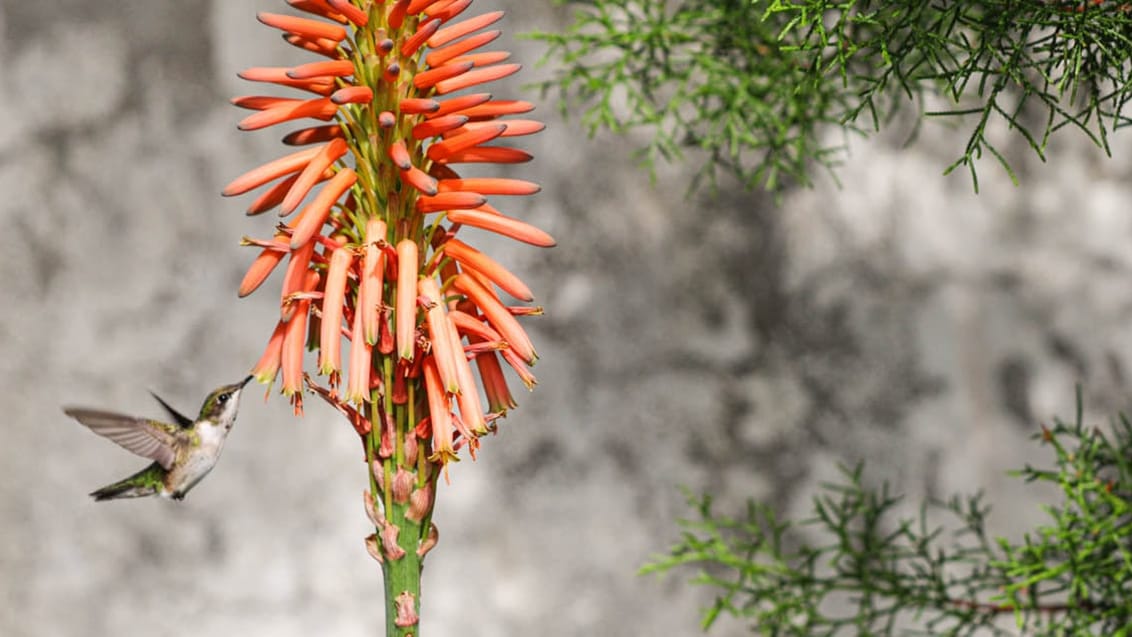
(724, 343)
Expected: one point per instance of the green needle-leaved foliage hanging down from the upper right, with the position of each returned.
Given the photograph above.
(759, 84)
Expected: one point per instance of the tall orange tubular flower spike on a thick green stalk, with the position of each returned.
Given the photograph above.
(373, 204)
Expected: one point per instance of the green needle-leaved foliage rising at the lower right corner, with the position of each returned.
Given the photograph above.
(872, 573)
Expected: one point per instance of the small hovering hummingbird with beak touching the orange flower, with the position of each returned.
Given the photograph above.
(184, 452)
